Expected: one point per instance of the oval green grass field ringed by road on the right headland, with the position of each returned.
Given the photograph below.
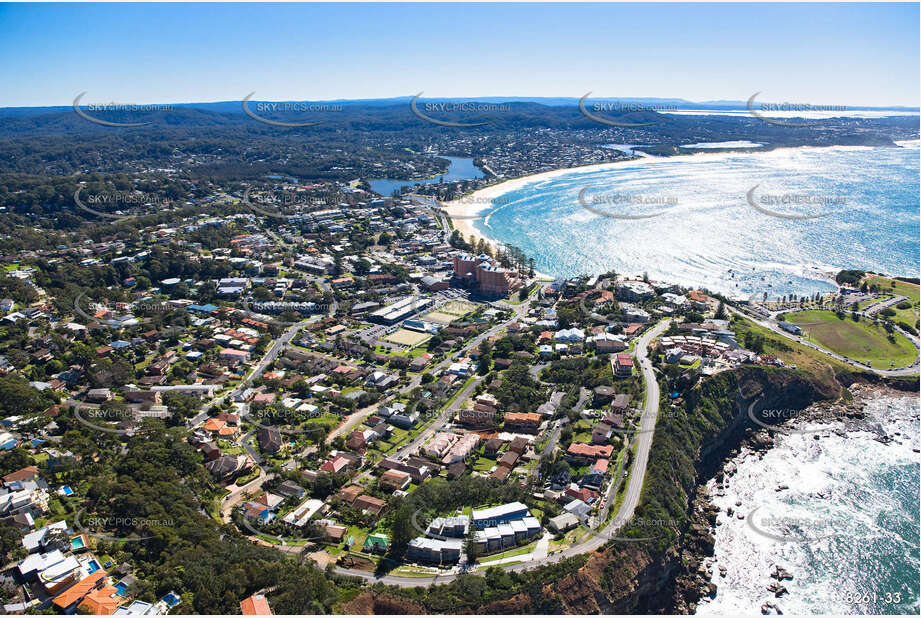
(863, 341)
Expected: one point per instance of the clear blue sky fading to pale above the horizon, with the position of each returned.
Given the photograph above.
(832, 54)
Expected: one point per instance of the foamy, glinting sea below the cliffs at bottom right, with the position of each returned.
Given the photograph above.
(845, 527)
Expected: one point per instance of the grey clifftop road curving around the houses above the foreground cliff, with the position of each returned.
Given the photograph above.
(627, 508)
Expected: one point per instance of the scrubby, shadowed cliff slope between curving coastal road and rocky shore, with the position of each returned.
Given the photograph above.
(659, 569)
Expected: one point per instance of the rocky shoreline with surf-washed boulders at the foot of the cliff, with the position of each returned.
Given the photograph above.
(695, 580)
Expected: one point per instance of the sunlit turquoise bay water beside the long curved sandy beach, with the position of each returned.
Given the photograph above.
(706, 234)
